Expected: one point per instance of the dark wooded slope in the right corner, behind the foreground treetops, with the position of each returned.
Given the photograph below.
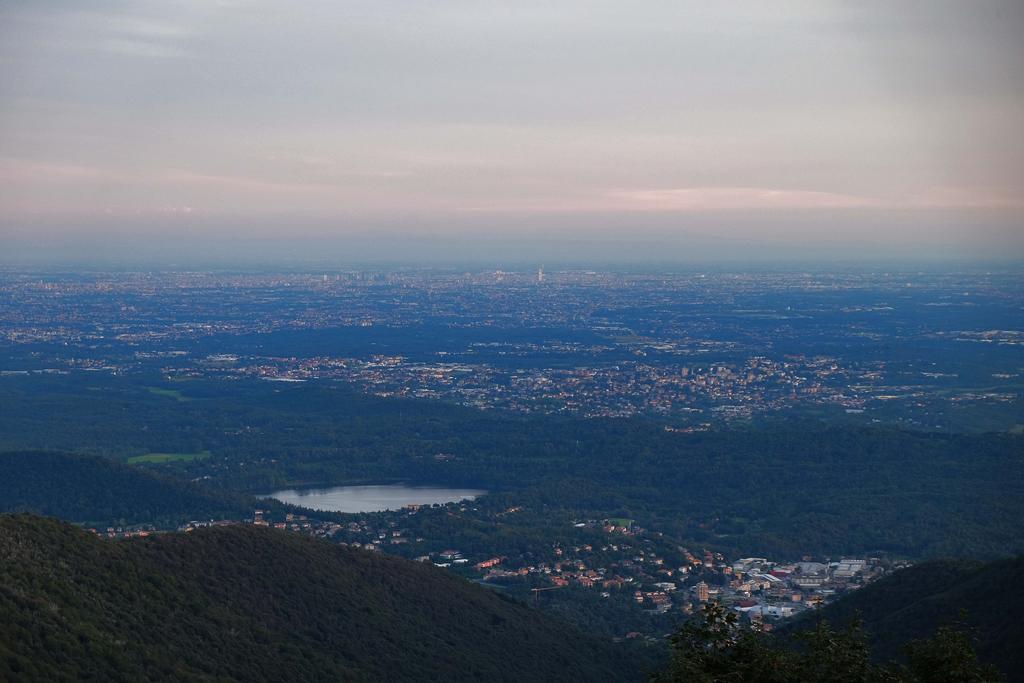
(913, 604)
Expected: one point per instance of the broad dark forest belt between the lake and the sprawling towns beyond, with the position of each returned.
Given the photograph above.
(780, 487)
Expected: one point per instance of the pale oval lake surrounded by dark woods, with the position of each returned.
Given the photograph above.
(371, 499)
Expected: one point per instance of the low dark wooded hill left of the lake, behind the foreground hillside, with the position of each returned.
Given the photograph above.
(98, 491)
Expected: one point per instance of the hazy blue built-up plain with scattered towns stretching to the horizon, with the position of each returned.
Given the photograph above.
(693, 349)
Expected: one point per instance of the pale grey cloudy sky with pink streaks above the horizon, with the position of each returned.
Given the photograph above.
(571, 131)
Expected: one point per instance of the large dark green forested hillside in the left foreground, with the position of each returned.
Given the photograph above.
(255, 605)
